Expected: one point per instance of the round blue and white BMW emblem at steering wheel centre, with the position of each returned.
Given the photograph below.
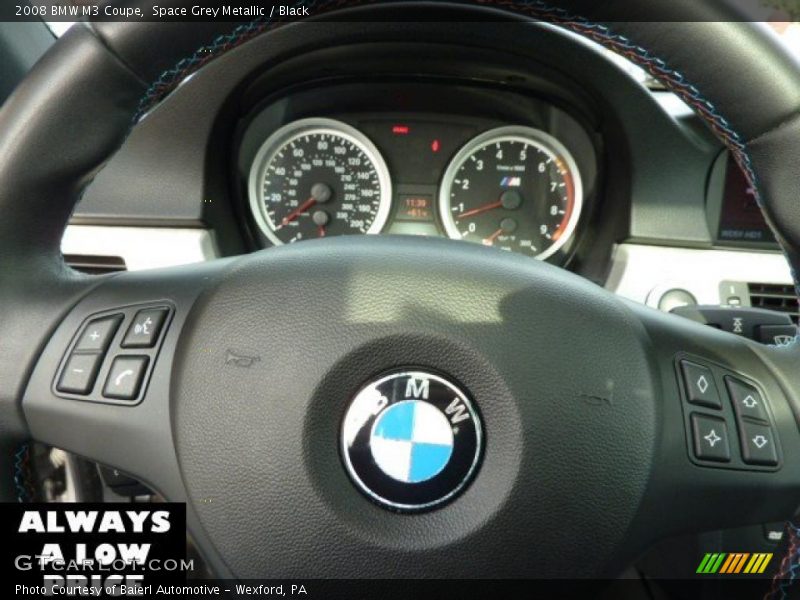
(411, 440)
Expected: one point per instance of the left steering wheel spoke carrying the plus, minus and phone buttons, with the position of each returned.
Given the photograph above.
(101, 385)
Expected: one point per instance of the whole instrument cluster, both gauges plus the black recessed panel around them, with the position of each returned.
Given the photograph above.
(517, 182)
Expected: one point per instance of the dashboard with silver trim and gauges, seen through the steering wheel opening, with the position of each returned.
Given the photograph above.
(648, 203)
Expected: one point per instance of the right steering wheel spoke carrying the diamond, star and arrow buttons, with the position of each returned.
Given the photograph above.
(728, 430)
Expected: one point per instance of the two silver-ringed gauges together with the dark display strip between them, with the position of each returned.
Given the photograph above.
(513, 187)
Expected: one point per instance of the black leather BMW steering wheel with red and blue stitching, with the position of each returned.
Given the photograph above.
(226, 384)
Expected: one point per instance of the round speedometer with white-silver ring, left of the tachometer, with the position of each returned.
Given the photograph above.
(318, 177)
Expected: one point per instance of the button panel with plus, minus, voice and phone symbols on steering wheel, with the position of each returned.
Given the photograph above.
(112, 355)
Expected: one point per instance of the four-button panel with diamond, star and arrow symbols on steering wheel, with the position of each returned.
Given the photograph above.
(728, 420)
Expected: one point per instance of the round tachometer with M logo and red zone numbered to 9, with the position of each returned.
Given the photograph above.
(515, 188)
